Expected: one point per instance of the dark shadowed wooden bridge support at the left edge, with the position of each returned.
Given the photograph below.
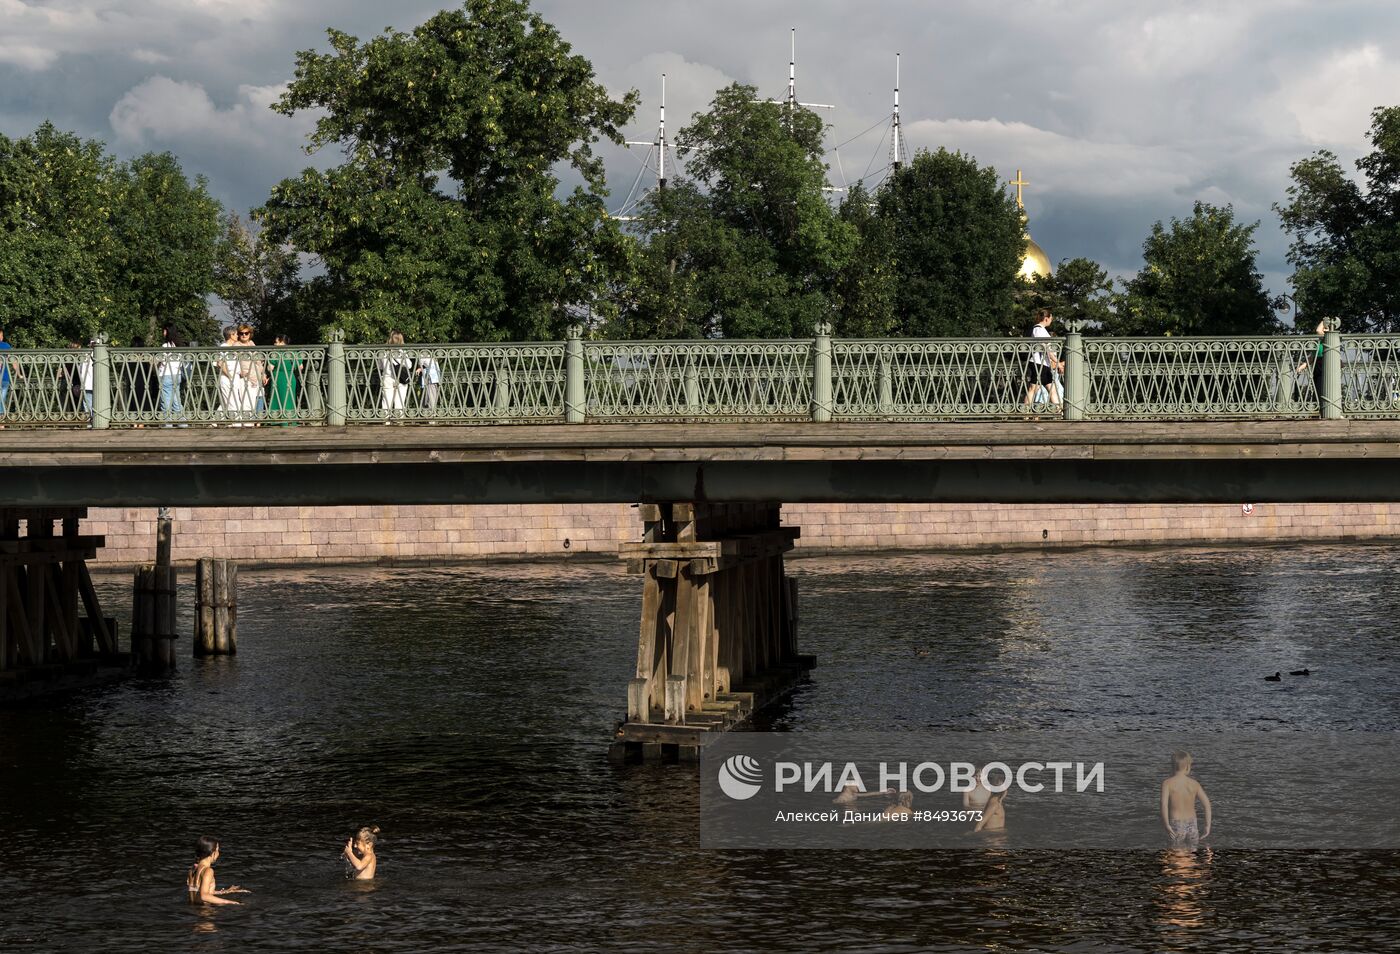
(44, 583)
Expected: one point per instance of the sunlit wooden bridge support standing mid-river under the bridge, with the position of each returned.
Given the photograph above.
(719, 624)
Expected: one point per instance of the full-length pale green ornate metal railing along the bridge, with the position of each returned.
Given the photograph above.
(818, 379)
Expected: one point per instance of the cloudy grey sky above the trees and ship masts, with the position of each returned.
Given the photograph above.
(1119, 113)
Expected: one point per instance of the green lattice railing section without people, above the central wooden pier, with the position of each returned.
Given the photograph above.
(701, 380)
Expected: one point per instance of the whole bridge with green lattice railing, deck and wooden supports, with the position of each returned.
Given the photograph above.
(708, 438)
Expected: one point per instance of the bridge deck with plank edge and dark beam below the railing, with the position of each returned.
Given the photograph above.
(993, 462)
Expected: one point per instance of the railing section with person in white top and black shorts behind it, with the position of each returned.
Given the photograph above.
(944, 380)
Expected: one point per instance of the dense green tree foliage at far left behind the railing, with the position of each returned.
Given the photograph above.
(90, 246)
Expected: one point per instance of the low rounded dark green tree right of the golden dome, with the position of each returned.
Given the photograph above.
(1199, 278)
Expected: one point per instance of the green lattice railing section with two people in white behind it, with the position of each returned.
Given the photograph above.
(472, 383)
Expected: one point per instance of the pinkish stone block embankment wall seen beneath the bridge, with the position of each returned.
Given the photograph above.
(394, 534)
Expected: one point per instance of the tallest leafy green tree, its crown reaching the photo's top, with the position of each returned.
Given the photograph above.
(443, 221)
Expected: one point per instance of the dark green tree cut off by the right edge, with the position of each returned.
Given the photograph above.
(1345, 237)
